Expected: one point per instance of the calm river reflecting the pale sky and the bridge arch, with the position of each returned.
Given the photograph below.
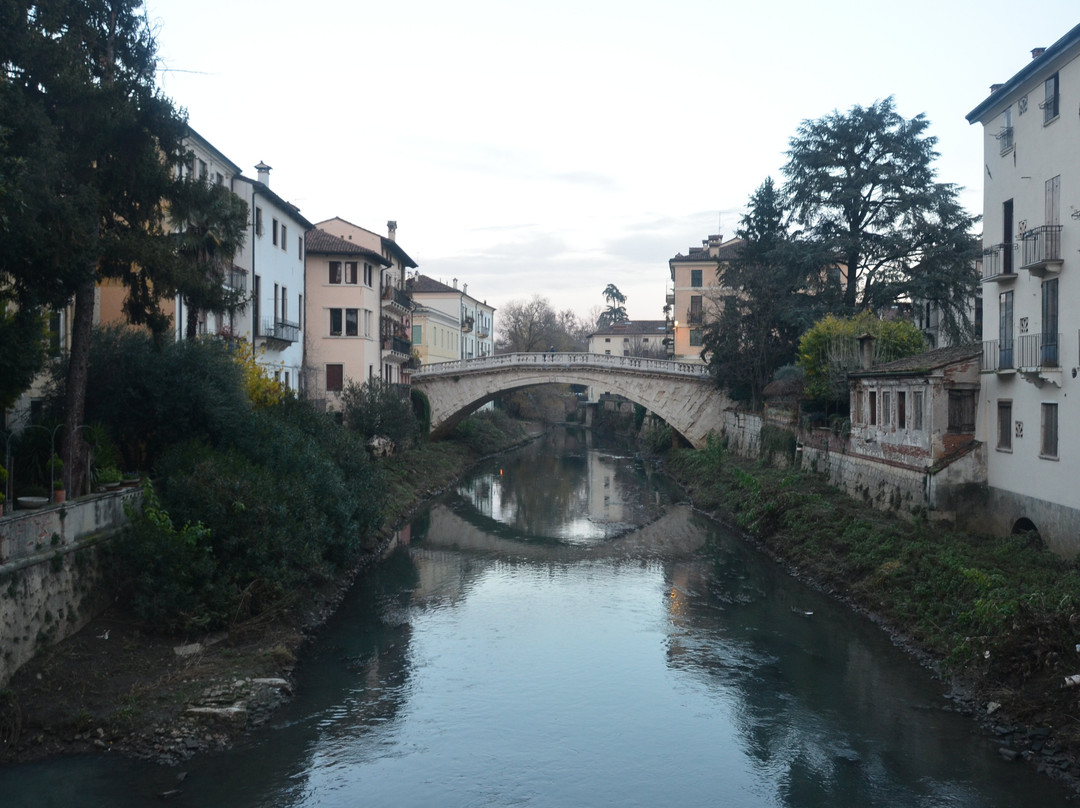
(562, 631)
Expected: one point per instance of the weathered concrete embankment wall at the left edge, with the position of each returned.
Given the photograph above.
(50, 572)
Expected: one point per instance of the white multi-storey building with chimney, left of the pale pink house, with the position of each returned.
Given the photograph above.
(274, 258)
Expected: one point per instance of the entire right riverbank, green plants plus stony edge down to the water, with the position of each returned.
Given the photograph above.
(997, 621)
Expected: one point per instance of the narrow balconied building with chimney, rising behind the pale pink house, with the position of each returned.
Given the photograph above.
(396, 319)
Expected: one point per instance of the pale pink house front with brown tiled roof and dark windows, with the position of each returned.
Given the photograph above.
(342, 312)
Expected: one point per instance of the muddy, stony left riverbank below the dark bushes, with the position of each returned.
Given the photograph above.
(116, 689)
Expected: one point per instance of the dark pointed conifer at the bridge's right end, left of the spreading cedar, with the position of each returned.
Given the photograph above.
(779, 289)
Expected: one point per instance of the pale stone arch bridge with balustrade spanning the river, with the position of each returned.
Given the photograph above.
(682, 394)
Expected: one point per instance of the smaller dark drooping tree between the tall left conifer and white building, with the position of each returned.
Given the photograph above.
(211, 225)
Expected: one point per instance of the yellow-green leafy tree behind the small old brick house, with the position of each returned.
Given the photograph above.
(830, 349)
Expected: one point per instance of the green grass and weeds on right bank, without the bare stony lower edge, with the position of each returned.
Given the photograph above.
(1002, 611)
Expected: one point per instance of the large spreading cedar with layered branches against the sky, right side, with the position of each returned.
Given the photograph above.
(863, 185)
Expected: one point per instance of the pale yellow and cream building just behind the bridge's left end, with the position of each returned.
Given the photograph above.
(448, 324)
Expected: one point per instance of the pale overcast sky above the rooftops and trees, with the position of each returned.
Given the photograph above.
(556, 147)
